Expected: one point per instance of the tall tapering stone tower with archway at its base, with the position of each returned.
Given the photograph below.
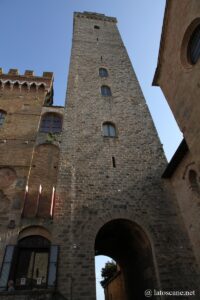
(111, 199)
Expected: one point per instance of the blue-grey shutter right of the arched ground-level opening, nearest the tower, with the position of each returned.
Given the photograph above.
(53, 262)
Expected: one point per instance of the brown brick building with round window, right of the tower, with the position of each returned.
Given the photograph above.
(178, 76)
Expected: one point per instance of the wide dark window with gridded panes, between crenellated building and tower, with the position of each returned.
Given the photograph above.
(51, 122)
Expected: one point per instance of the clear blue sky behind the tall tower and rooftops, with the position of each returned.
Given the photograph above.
(36, 35)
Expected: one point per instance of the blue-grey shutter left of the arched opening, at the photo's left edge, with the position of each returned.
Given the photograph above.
(6, 265)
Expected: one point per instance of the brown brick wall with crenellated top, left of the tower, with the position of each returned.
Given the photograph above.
(22, 98)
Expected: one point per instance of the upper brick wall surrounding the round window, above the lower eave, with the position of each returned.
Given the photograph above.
(178, 78)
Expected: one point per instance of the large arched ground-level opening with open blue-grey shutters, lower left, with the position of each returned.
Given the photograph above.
(31, 264)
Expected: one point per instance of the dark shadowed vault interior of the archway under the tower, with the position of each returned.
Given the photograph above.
(127, 243)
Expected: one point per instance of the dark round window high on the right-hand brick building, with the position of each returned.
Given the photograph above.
(194, 46)
